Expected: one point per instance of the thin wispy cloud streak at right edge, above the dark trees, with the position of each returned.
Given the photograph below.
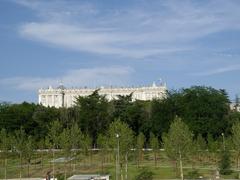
(218, 70)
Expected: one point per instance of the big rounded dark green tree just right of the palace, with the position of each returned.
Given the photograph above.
(204, 110)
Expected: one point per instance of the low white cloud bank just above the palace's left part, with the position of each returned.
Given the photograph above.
(78, 77)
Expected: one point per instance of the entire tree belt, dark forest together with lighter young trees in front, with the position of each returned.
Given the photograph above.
(197, 115)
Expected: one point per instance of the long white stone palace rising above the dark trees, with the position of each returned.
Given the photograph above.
(64, 97)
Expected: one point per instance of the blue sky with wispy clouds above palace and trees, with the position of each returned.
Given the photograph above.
(119, 43)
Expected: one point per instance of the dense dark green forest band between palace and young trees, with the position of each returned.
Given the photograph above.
(205, 110)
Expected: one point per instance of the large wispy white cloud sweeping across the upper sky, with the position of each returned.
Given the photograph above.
(145, 29)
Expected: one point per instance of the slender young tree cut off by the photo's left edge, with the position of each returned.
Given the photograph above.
(4, 147)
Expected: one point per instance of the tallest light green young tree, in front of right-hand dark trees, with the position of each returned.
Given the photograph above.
(178, 142)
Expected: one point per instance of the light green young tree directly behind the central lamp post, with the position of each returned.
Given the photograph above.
(121, 136)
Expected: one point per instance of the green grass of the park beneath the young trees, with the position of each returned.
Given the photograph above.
(165, 169)
